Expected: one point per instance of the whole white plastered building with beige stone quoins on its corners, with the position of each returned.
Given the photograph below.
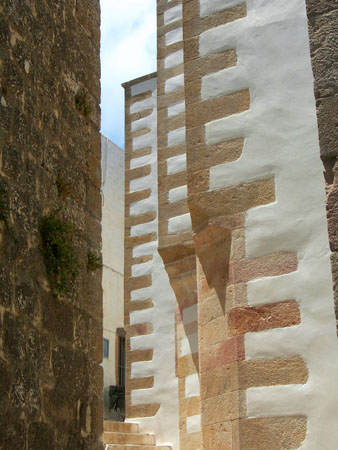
(227, 259)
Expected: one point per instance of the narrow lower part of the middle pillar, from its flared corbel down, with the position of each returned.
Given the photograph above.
(180, 263)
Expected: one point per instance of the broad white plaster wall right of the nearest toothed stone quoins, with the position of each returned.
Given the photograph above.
(281, 141)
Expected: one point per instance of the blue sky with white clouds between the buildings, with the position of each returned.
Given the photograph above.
(128, 51)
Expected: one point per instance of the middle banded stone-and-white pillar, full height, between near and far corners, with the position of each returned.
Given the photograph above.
(175, 239)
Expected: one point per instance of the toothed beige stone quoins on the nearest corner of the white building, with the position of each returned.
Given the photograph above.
(223, 315)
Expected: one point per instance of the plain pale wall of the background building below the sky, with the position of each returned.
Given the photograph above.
(112, 190)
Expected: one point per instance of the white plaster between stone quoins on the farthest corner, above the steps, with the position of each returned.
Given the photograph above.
(162, 316)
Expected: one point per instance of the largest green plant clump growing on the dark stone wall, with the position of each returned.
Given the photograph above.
(58, 253)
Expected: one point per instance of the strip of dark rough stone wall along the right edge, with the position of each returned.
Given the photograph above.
(323, 30)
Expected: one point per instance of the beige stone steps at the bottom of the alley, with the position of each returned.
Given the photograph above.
(126, 436)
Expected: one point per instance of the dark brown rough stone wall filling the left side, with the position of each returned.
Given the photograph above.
(51, 341)
